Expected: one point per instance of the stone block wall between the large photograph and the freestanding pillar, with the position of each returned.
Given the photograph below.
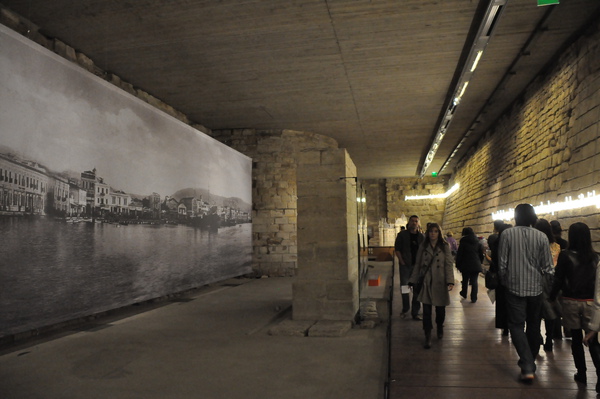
(274, 215)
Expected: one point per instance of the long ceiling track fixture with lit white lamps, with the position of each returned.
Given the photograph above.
(486, 28)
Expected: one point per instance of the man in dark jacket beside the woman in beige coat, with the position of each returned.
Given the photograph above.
(406, 247)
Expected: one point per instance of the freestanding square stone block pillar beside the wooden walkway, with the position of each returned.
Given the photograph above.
(326, 286)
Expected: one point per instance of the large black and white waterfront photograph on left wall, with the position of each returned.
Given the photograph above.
(104, 200)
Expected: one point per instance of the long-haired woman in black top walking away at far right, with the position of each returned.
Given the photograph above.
(576, 275)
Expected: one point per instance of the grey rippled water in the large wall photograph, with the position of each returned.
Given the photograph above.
(52, 271)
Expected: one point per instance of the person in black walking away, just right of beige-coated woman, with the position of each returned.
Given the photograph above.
(468, 261)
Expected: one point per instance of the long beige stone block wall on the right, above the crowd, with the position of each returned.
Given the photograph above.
(545, 148)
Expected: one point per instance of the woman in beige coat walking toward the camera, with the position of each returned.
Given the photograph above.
(434, 267)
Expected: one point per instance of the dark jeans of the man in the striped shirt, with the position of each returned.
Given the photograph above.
(525, 311)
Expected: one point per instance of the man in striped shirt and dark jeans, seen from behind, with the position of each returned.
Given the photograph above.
(524, 257)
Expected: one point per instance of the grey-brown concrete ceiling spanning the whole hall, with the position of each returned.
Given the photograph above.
(376, 75)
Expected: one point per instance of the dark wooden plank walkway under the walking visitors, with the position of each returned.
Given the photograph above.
(474, 360)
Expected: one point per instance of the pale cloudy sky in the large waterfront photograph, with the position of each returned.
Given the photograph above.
(55, 113)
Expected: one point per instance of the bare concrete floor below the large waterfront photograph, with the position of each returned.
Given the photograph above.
(211, 344)
